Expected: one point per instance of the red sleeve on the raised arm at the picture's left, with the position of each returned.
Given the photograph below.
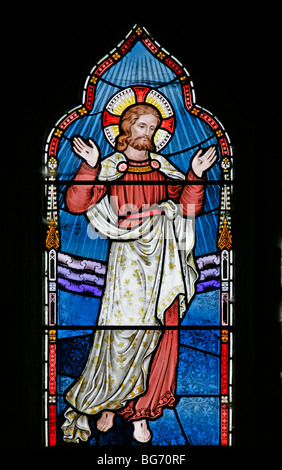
(80, 197)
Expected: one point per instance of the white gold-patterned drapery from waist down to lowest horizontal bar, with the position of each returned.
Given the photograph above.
(153, 267)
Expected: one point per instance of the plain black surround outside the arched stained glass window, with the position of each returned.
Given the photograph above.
(233, 57)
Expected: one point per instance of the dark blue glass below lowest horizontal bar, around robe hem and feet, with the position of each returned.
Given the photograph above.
(194, 420)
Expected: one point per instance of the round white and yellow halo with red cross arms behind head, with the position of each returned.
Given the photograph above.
(139, 95)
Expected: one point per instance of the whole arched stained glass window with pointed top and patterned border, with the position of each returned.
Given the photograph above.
(139, 289)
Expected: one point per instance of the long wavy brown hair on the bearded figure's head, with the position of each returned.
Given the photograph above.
(129, 118)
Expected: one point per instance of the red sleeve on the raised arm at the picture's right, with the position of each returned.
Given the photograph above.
(191, 196)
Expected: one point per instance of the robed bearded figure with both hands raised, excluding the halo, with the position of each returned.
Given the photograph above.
(133, 371)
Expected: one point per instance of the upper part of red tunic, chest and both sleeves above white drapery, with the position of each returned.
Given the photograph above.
(133, 198)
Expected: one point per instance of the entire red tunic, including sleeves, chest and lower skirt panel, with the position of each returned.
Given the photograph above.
(134, 198)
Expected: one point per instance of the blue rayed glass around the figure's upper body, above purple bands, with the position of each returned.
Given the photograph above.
(138, 67)
